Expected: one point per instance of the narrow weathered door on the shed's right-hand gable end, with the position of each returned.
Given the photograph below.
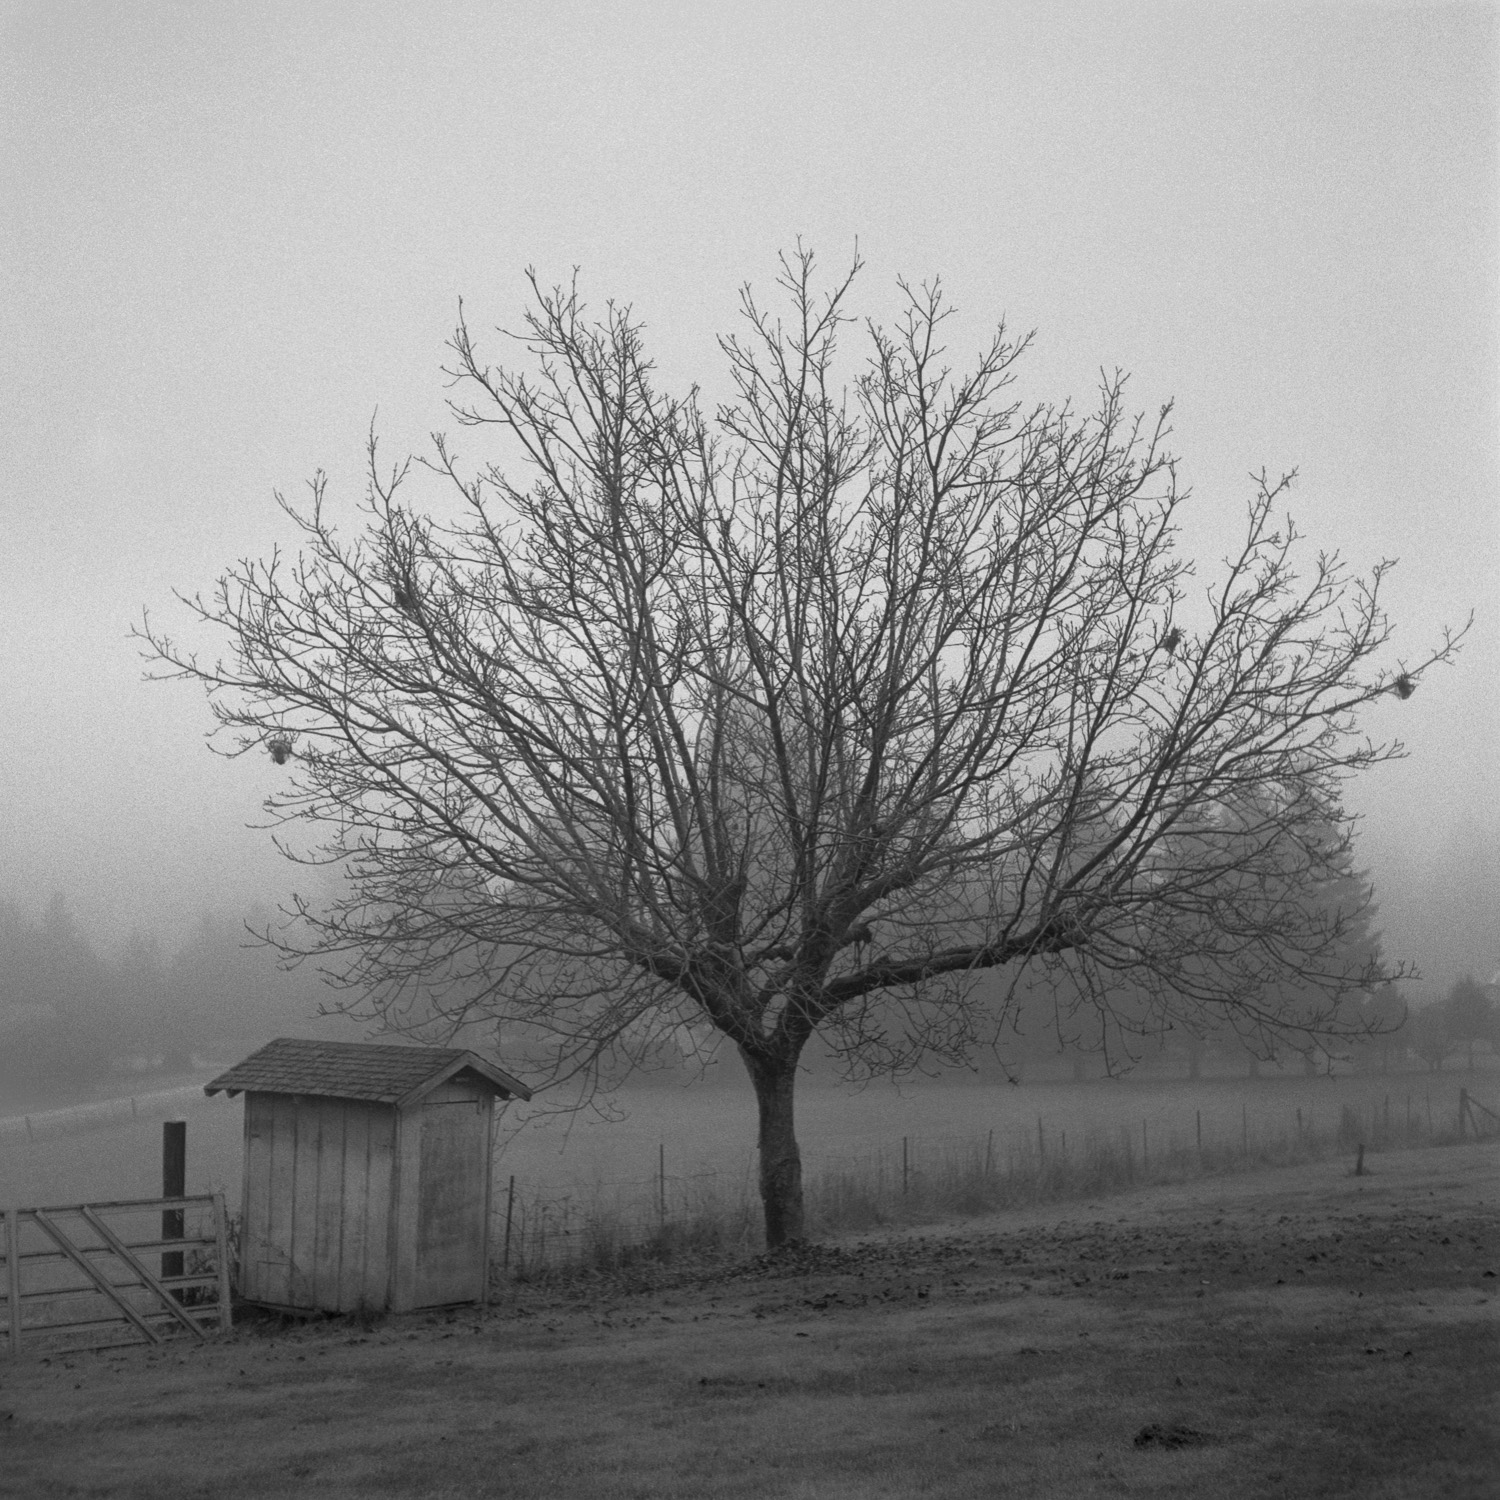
(451, 1202)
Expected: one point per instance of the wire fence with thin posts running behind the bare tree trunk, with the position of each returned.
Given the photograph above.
(611, 1225)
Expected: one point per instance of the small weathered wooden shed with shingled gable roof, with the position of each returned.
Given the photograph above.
(367, 1174)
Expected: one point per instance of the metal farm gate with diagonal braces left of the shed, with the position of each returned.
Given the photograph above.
(92, 1276)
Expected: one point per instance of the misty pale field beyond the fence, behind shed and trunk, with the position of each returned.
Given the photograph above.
(677, 1153)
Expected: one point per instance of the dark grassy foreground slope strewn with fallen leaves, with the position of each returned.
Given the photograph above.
(1289, 1333)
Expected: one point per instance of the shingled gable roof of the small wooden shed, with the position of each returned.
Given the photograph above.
(356, 1070)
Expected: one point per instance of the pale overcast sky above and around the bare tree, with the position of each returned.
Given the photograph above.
(230, 232)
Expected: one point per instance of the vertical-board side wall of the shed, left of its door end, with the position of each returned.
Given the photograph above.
(316, 1231)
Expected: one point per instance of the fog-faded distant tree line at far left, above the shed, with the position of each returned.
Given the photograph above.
(71, 1013)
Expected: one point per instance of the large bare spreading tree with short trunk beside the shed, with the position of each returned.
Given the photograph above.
(796, 718)
